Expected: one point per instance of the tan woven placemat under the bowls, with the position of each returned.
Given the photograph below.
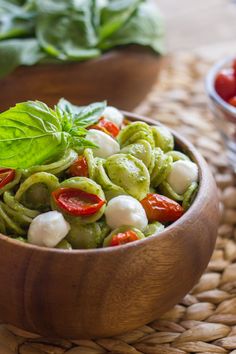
(205, 320)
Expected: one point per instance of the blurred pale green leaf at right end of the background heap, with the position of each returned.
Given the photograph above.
(145, 27)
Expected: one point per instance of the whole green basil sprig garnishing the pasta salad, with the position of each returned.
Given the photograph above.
(32, 134)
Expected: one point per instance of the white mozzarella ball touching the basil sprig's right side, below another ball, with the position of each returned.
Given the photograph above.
(107, 146)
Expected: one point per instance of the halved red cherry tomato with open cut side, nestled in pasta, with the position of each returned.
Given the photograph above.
(76, 202)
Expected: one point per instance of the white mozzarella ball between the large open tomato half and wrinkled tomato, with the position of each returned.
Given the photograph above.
(125, 210)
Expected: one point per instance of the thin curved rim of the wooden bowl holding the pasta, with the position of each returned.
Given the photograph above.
(195, 207)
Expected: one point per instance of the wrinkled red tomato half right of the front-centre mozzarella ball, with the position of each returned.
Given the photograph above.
(160, 208)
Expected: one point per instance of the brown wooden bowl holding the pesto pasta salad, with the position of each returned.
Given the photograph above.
(108, 291)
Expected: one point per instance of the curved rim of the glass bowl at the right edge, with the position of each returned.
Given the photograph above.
(210, 87)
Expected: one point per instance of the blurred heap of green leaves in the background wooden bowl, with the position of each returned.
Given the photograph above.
(35, 31)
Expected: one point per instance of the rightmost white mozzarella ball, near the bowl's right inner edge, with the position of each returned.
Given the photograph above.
(182, 174)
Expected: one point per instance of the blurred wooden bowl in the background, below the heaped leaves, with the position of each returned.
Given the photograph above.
(123, 77)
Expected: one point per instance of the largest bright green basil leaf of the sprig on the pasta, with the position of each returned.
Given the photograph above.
(30, 134)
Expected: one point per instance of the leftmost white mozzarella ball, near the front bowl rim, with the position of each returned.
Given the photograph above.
(48, 229)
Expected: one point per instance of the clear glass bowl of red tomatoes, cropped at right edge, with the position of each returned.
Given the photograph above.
(224, 113)
